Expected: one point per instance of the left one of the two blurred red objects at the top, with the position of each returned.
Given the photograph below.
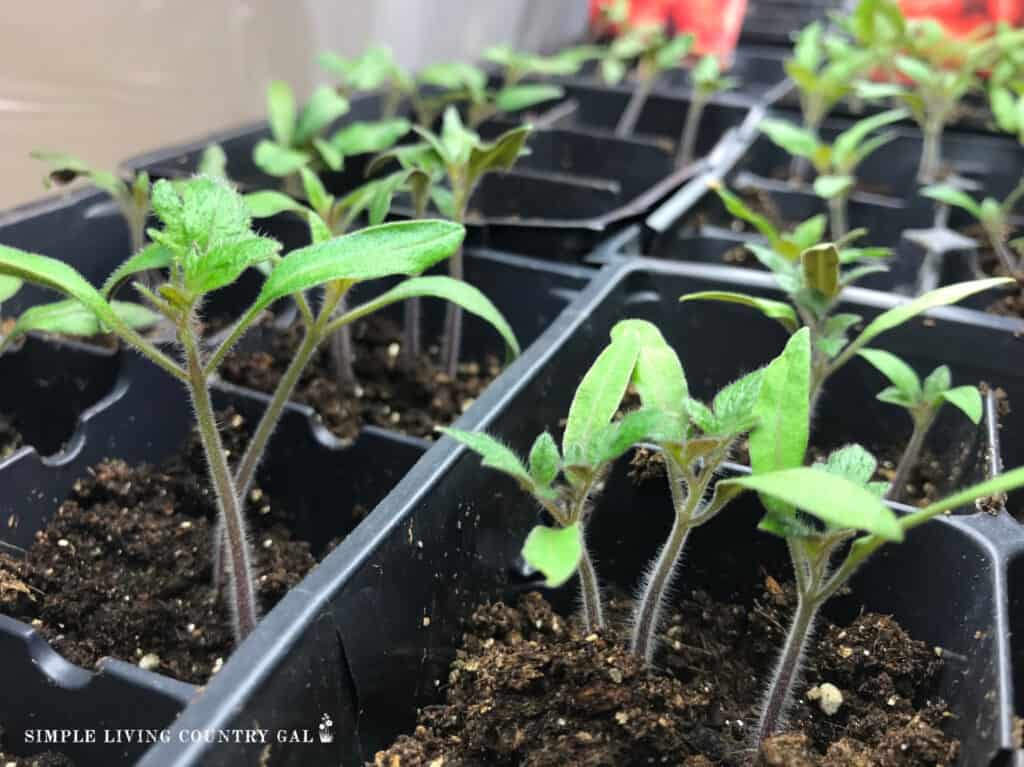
(715, 24)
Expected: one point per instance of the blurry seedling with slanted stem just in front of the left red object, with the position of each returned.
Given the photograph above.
(655, 54)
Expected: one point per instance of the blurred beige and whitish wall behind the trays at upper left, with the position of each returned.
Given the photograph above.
(109, 79)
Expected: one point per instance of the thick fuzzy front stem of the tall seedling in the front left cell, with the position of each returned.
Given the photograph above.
(239, 567)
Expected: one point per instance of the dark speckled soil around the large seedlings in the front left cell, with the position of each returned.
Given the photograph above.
(124, 569)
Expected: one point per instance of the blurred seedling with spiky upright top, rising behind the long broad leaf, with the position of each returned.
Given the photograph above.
(464, 159)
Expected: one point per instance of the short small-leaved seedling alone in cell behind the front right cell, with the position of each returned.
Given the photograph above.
(923, 401)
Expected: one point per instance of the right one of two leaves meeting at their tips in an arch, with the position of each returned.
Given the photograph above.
(658, 375)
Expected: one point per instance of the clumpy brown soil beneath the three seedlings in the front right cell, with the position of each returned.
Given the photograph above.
(531, 689)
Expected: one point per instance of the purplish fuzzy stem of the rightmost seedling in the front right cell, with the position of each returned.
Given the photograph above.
(788, 668)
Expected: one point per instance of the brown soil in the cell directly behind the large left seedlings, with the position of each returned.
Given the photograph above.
(414, 402)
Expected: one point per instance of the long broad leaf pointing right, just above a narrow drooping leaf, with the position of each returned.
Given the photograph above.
(403, 248)
